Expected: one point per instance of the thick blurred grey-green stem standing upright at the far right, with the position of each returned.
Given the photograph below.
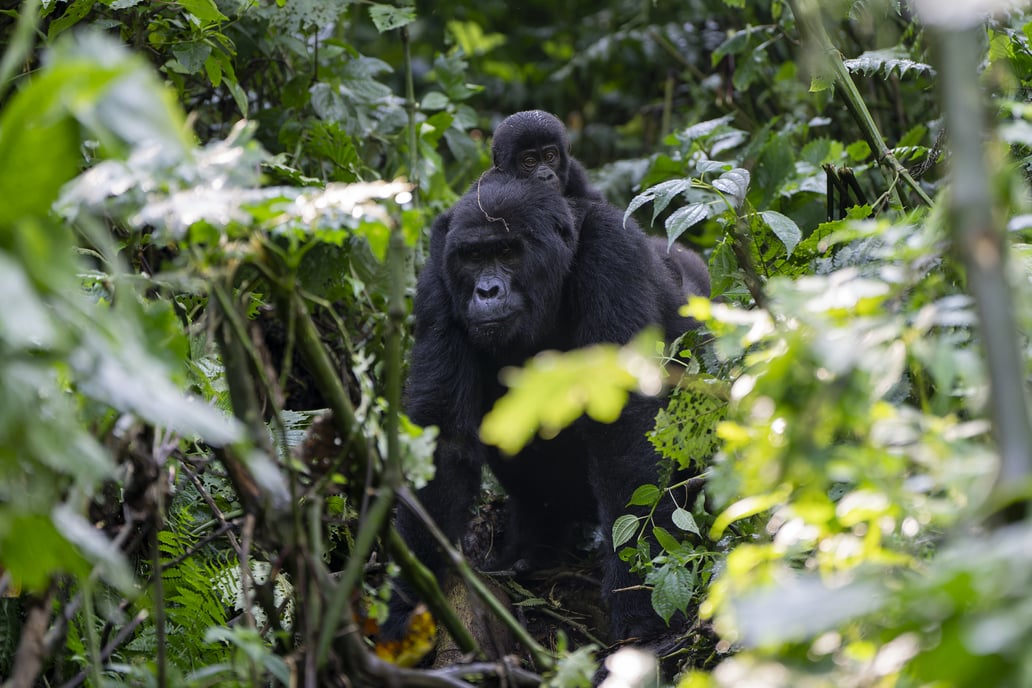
(983, 249)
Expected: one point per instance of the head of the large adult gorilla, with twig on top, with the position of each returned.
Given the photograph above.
(507, 254)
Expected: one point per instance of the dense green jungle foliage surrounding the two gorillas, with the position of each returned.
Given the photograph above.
(213, 215)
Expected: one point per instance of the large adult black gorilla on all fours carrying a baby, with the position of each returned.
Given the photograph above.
(517, 269)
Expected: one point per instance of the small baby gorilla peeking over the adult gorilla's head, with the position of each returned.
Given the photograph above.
(535, 144)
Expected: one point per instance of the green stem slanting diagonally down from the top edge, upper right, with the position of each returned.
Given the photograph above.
(813, 29)
